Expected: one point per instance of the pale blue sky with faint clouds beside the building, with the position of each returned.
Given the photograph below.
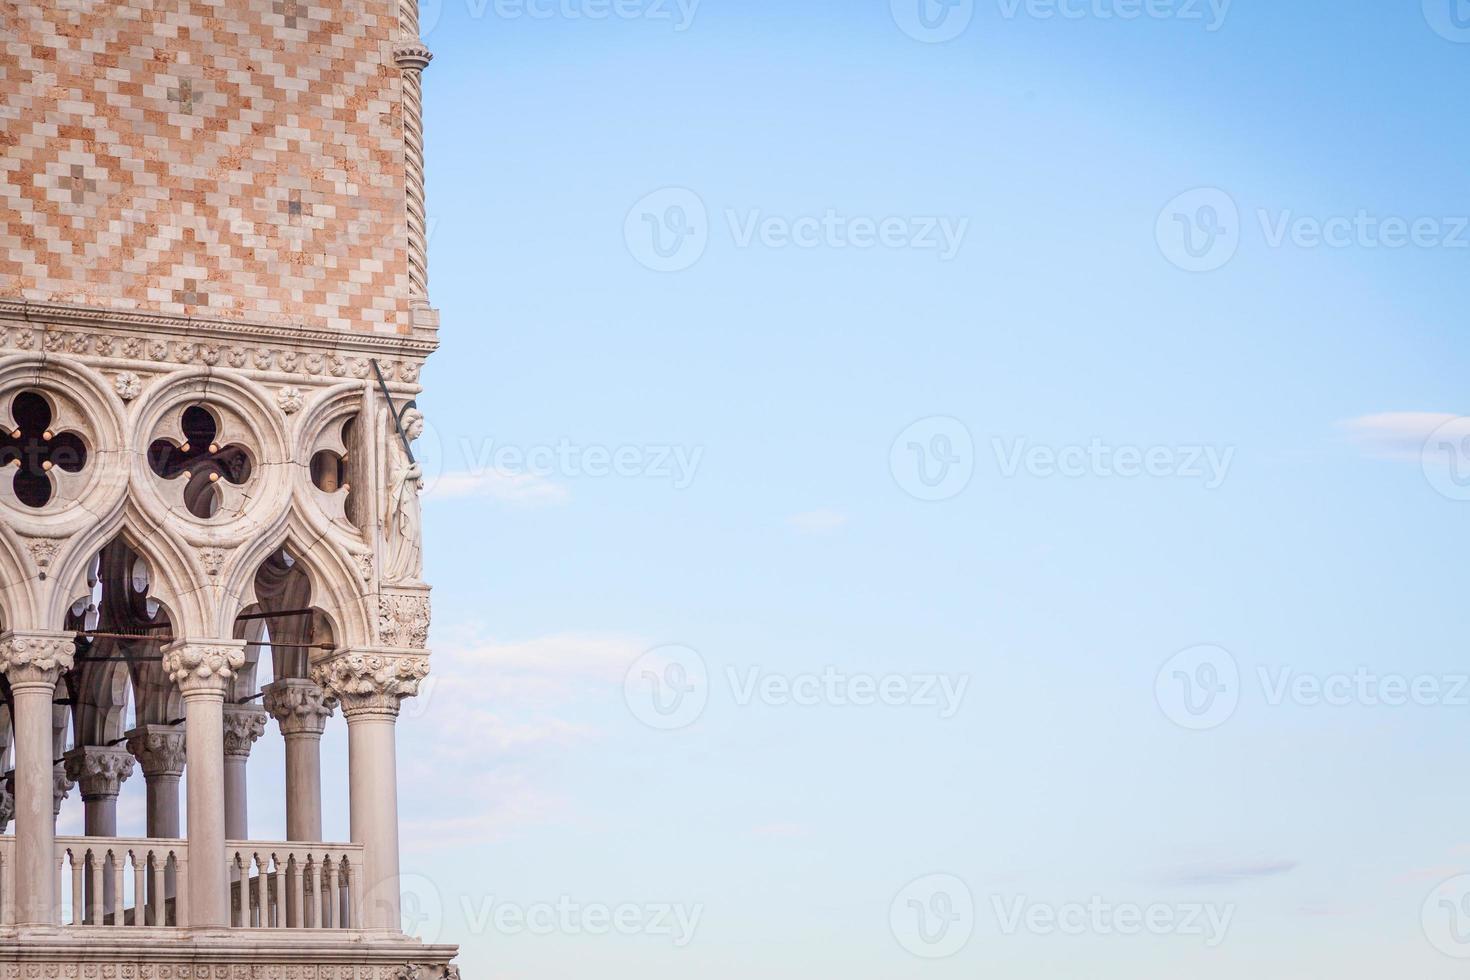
(792, 543)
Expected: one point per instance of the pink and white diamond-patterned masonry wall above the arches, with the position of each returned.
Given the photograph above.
(209, 158)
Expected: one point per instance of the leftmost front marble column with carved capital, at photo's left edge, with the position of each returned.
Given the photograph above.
(33, 663)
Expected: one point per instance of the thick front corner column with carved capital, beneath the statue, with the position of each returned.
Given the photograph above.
(371, 685)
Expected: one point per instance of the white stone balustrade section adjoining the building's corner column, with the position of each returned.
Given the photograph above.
(296, 885)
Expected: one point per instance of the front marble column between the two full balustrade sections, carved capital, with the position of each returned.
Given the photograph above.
(204, 671)
